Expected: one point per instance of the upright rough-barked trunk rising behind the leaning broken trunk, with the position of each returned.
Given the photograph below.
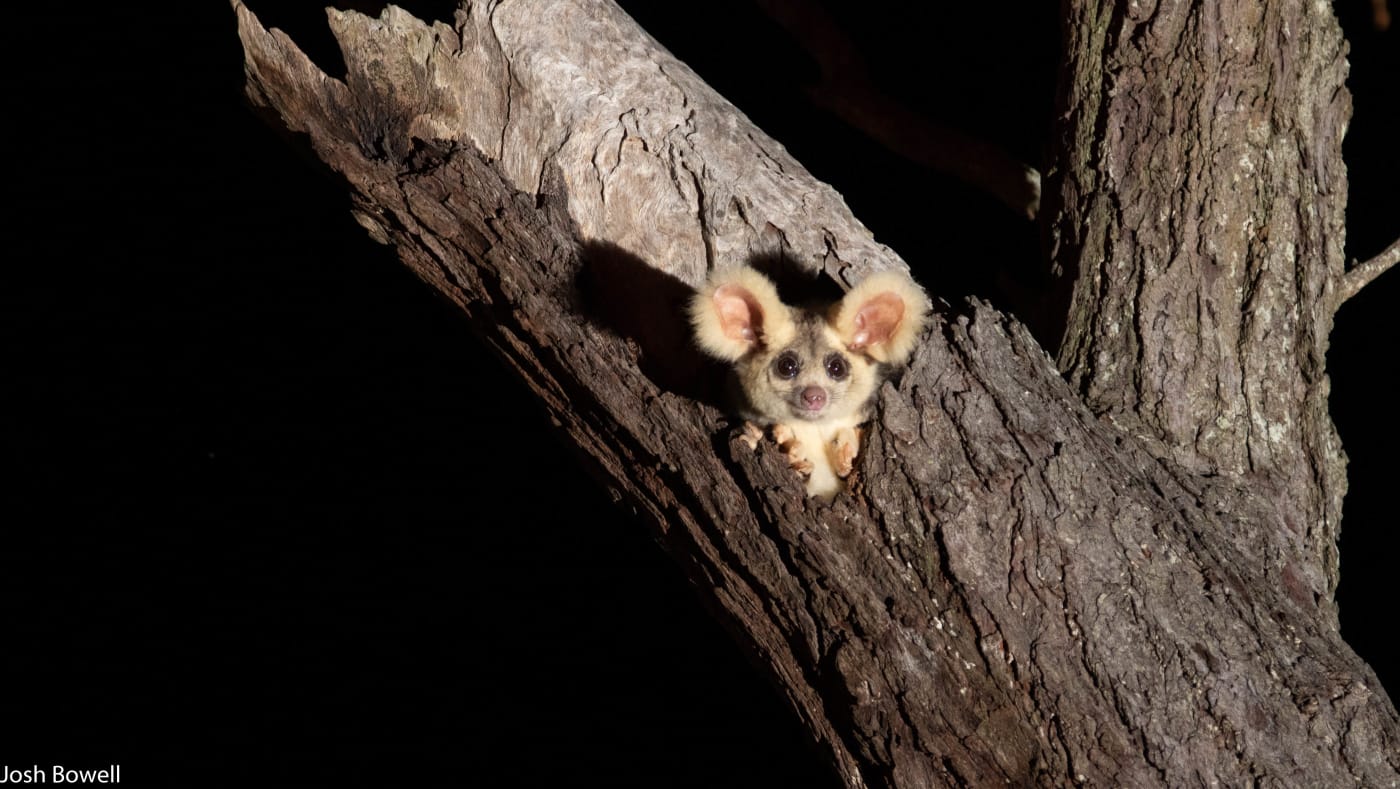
(1200, 211)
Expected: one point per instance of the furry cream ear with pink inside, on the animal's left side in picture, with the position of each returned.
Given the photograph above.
(737, 311)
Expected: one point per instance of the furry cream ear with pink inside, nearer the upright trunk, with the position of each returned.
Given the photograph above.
(883, 317)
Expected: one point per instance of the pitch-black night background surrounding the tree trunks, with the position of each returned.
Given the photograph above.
(278, 517)
